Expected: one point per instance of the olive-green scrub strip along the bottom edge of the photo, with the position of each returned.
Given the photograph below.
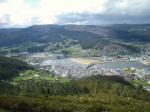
(86, 102)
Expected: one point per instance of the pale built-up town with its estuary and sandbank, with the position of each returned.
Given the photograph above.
(59, 66)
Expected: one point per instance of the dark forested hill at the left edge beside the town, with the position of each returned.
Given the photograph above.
(11, 67)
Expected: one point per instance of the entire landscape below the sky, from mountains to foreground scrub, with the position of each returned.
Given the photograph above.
(75, 68)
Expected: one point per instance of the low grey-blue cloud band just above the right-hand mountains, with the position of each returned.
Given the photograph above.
(95, 19)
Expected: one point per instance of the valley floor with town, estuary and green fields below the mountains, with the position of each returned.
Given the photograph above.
(75, 62)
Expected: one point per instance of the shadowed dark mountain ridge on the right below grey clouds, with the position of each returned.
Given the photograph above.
(120, 31)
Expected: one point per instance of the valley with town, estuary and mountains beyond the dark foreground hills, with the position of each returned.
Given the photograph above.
(70, 48)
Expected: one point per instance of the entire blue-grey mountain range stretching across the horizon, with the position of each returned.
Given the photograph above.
(82, 33)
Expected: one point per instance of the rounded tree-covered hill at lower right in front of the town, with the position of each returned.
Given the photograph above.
(113, 85)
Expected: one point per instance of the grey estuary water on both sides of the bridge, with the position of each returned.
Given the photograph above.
(108, 65)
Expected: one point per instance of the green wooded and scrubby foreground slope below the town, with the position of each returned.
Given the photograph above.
(94, 93)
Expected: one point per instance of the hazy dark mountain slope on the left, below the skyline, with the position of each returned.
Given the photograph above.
(43, 34)
